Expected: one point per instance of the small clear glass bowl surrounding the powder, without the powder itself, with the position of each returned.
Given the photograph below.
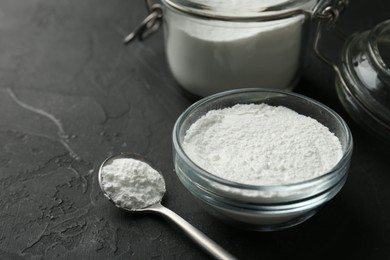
(261, 207)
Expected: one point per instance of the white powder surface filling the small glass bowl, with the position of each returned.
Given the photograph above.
(258, 144)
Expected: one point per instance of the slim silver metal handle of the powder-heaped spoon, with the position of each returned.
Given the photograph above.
(209, 245)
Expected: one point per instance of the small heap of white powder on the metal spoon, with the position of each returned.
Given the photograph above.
(132, 184)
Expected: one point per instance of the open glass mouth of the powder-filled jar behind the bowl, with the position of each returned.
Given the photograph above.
(239, 9)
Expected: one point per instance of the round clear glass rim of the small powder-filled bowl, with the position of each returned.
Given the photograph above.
(224, 182)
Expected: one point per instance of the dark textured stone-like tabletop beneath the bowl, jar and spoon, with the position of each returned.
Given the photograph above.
(71, 94)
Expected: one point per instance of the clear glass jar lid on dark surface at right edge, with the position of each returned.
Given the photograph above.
(364, 84)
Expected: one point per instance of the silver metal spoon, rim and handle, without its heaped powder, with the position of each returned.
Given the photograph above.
(200, 238)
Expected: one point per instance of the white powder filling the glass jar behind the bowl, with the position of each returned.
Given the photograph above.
(210, 56)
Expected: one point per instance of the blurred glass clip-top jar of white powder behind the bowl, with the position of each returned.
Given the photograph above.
(216, 45)
